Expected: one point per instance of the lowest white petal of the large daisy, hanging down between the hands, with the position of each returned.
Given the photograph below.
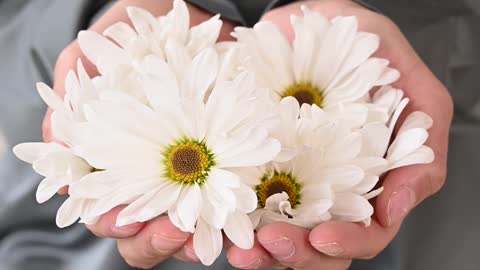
(207, 242)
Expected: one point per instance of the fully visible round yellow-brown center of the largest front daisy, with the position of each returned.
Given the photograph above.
(188, 162)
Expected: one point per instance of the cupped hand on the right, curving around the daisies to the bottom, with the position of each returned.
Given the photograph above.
(333, 245)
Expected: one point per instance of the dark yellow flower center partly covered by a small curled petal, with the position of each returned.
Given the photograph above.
(277, 183)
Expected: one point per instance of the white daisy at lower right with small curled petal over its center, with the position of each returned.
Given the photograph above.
(322, 175)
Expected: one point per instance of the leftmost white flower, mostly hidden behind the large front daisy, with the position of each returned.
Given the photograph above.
(60, 166)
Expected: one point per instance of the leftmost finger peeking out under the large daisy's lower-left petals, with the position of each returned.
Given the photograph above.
(105, 226)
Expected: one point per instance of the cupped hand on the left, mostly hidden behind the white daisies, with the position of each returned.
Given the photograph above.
(142, 245)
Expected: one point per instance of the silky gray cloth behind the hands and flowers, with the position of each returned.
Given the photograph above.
(442, 233)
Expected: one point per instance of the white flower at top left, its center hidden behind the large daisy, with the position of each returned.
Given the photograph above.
(169, 37)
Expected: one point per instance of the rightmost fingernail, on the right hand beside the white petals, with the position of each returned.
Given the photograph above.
(400, 203)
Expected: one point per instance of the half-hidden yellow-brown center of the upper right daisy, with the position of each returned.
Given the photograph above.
(304, 93)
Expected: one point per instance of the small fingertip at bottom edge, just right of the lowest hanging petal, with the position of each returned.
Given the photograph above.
(255, 258)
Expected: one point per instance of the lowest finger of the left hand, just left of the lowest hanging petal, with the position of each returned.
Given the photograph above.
(156, 242)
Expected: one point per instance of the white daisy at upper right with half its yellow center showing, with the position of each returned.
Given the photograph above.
(330, 63)
